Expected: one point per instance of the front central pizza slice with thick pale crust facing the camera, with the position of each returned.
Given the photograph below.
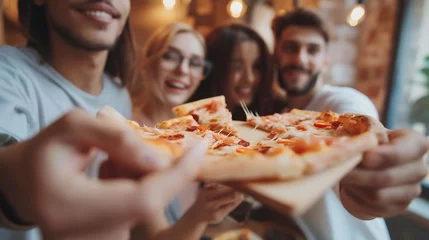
(233, 158)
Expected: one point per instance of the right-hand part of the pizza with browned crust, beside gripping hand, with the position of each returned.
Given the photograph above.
(320, 139)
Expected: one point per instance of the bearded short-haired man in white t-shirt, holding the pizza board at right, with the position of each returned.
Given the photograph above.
(387, 179)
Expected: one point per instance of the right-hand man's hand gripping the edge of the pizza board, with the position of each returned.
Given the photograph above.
(388, 178)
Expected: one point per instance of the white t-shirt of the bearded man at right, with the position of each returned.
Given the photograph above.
(328, 219)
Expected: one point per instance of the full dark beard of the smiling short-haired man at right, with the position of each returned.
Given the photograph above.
(297, 92)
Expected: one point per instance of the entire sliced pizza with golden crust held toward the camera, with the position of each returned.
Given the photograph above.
(290, 145)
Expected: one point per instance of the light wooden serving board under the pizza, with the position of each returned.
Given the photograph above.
(291, 197)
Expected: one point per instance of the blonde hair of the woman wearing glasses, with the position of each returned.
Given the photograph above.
(156, 45)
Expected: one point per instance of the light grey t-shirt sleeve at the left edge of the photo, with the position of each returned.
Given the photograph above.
(15, 116)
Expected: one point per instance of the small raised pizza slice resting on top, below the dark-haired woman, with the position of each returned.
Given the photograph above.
(210, 112)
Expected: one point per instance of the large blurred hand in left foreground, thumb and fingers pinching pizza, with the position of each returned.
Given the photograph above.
(44, 179)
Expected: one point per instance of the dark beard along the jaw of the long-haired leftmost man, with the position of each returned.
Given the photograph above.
(76, 42)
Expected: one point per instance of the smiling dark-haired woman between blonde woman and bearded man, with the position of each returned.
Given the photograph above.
(242, 71)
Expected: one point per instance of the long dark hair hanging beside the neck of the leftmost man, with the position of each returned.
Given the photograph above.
(122, 59)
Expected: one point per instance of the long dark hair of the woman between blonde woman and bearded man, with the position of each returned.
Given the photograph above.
(220, 45)
